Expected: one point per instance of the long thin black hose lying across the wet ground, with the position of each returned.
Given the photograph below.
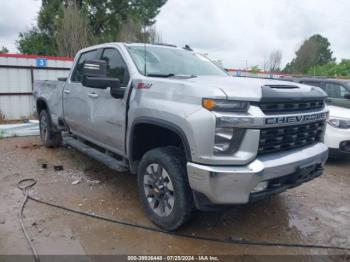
(32, 182)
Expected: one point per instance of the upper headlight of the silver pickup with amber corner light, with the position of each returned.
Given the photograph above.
(225, 105)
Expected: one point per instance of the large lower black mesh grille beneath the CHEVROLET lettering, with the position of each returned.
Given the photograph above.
(290, 137)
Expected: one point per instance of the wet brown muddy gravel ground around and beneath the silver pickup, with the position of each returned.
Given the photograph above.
(316, 213)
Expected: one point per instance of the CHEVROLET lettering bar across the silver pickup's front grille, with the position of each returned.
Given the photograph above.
(296, 119)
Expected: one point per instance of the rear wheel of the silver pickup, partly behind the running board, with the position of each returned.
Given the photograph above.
(49, 137)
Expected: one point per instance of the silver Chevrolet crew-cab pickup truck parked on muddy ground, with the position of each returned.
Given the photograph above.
(196, 137)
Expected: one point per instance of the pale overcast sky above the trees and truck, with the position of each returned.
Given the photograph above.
(238, 32)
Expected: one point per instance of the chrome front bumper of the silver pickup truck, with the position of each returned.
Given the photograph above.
(224, 185)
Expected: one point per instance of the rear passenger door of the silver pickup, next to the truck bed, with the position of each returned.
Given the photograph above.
(75, 100)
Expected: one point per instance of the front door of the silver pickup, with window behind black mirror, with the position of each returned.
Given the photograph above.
(107, 114)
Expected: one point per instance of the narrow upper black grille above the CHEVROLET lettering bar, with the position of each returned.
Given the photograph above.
(282, 107)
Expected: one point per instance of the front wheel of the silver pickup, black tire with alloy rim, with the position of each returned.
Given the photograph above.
(169, 204)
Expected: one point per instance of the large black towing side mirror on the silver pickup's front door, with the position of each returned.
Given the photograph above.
(95, 75)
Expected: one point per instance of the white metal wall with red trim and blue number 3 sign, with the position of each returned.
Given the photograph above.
(17, 75)
